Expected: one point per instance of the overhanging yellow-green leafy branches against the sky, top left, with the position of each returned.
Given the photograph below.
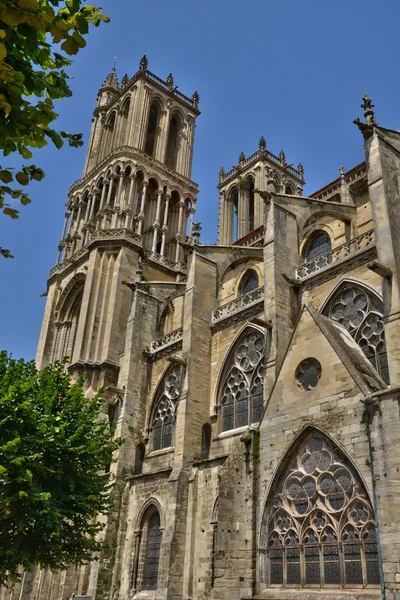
(32, 75)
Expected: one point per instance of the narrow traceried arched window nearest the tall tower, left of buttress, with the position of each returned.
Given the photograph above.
(165, 405)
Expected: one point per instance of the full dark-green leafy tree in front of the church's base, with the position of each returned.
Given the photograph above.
(53, 450)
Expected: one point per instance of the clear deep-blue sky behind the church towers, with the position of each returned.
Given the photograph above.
(294, 72)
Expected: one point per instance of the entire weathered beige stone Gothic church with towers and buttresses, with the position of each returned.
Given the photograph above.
(255, 381)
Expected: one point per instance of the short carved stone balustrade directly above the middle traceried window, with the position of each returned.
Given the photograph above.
(238, 309)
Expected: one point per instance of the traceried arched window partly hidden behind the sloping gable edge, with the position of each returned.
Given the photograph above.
(361, 313)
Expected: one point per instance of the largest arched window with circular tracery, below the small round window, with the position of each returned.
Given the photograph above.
(318, 525)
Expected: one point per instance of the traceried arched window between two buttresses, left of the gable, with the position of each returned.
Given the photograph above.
(242, 389)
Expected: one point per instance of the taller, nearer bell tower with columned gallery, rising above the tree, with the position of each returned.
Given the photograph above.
(135, 201)
